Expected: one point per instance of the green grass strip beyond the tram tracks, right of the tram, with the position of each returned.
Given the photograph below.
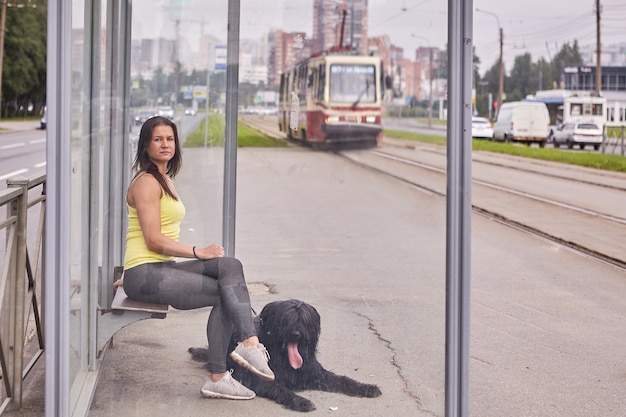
(586, 159)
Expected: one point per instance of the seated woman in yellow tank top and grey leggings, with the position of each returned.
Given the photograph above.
(151, 273)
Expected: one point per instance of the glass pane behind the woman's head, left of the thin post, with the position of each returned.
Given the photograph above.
(178, 60)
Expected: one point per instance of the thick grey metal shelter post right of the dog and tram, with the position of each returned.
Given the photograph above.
(459, 205)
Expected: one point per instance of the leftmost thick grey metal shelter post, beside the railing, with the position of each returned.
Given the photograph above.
(57, 214)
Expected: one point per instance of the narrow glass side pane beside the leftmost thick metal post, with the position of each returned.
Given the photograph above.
(88, 129)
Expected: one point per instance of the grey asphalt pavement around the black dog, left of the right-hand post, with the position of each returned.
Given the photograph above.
(314, 227)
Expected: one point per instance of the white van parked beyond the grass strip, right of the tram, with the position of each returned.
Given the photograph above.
(522, 121)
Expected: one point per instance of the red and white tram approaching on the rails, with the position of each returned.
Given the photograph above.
(334, 97)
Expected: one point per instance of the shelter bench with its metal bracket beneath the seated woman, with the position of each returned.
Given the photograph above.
(125, 311)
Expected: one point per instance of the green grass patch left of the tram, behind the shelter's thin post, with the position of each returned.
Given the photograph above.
(245, 137)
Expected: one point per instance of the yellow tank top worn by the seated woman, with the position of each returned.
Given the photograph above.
(137, 252)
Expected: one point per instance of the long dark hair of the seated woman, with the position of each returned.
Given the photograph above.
(142, 162)
